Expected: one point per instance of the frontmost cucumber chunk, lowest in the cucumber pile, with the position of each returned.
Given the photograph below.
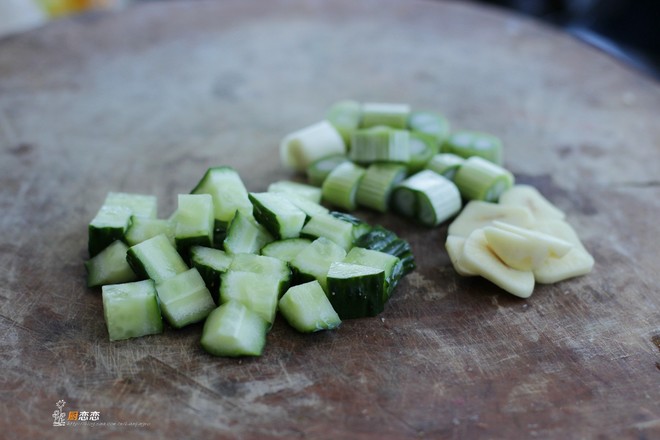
(233, 330)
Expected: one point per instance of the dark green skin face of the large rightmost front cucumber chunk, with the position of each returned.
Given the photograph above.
(357, 298)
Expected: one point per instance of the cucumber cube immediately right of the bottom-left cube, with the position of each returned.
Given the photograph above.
(184, 298)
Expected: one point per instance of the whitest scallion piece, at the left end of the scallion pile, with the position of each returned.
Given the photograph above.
(301, 148)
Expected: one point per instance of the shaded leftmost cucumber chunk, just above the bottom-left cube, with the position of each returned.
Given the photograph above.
(109, 266)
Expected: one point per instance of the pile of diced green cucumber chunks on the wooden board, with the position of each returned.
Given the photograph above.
(234, 259)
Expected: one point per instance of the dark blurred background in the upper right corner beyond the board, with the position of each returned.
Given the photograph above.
(627, 29)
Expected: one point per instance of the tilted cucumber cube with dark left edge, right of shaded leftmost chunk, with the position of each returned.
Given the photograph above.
(156, 258)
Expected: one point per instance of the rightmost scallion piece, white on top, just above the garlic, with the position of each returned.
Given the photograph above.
(480, 179)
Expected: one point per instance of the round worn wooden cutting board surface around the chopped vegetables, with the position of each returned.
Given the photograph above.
(144, 100)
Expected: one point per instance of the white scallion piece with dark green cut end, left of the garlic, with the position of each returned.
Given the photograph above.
(427, 197)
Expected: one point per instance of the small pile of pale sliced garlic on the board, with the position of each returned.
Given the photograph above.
(519, 241)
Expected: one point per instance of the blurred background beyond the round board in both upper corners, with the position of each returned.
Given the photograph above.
(627, 29)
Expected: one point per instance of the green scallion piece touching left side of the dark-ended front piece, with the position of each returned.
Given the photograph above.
(376, 186)
